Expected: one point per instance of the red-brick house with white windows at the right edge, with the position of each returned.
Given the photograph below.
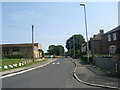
(111, 41)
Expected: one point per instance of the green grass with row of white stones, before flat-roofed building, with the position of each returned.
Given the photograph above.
(13, 61)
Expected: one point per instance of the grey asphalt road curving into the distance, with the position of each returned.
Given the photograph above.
(58, 74)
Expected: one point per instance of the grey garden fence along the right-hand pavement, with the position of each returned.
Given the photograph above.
(108, 64)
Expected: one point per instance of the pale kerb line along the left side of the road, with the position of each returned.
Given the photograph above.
(26, 70)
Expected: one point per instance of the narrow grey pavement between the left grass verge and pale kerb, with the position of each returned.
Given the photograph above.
(26, 68)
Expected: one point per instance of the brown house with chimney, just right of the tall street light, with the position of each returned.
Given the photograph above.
(96, 43)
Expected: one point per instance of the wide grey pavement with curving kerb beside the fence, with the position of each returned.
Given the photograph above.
(88, 74)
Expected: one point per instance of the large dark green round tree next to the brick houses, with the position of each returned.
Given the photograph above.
(75, 42)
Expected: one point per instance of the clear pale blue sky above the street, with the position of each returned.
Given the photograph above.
(54, 22)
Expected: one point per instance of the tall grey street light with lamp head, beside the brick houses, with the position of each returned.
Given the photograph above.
(86, 30)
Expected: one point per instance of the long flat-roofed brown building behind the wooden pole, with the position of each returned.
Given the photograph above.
(23, 49)
